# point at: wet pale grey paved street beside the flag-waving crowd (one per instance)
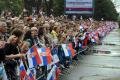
(102, 65)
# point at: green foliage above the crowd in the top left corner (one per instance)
(16, 6)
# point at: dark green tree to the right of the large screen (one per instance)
(105, 9)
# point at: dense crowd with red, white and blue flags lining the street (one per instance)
(18, 35)
